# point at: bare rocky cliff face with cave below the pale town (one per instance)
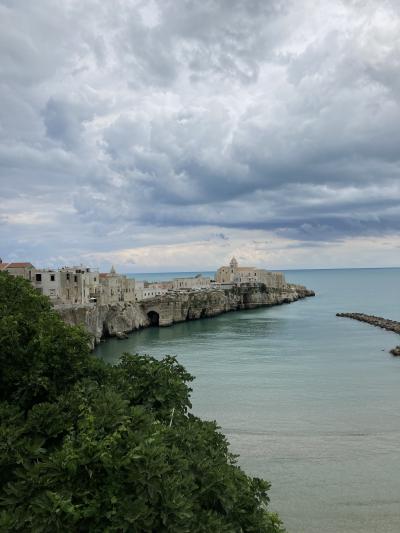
(102, 321)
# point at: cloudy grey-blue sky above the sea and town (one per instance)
(169, 135)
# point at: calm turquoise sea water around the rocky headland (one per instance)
(310, 401)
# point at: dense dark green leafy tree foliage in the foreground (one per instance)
(89, 447)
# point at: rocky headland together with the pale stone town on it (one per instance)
(111, 304)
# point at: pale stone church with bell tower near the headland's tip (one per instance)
(234, 274)
